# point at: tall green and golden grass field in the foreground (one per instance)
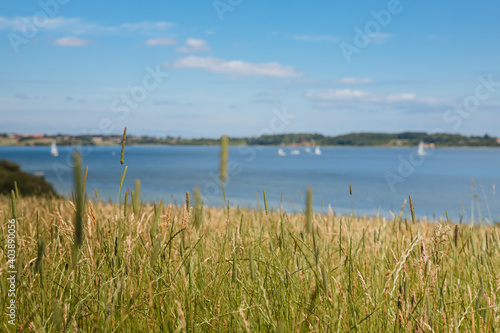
(164, 268)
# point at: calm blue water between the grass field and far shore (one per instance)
(382, 178)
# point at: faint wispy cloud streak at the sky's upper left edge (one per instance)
(80, 26)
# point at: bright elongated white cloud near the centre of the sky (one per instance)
(236, 67)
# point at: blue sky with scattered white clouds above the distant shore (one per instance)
(231, 66)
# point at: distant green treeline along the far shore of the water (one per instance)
(353, 139)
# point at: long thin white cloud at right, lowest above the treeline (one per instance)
(342, 95)
